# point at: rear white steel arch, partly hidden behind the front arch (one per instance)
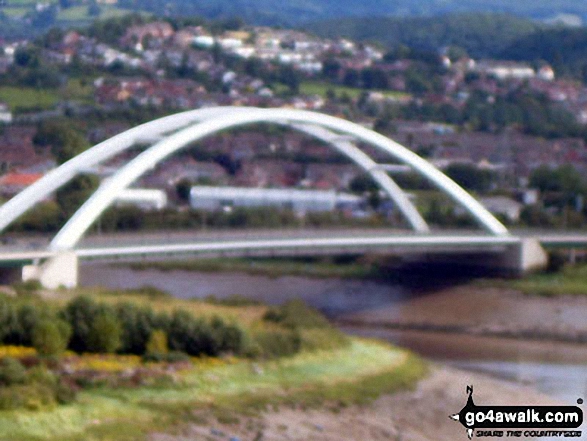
(109, 148)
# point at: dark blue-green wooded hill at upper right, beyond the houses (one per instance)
(497, 36)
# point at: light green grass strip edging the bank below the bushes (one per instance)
(356, 374)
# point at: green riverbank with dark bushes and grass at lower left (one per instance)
(70, 363)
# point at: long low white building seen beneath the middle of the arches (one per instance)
(217, 198)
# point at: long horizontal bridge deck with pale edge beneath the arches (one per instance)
(289, 242)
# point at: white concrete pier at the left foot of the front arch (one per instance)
(58, 271)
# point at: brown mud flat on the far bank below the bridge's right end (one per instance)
(473, 310)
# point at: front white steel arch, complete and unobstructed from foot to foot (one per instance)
(105, 195)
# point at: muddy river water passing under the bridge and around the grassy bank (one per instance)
(555, 368)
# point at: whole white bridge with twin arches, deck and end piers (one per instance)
(57, 265)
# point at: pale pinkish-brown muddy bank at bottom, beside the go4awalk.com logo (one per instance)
(419, 415)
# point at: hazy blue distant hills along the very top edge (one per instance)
(287, 13)
